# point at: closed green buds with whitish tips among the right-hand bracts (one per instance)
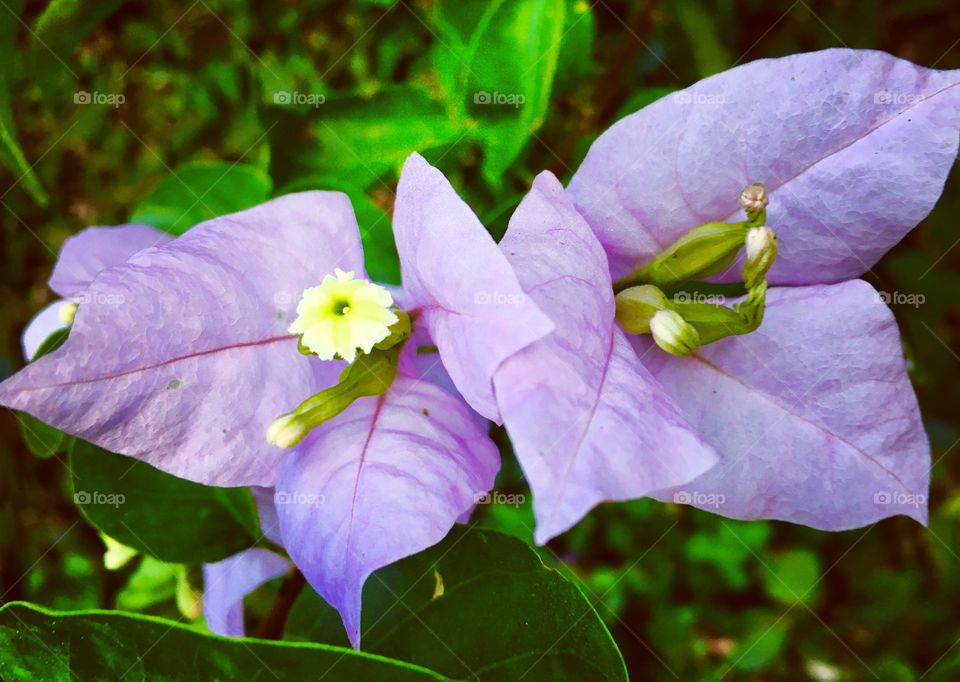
(680, 326)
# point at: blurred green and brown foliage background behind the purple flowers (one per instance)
(225, 103)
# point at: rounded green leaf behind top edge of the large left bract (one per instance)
(202, 190)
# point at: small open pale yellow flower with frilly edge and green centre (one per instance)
(342, 315)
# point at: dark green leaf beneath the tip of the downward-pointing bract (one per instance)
(478, 604)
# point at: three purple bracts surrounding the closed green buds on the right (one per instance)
(854, 148)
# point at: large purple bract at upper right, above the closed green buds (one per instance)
(853, 145)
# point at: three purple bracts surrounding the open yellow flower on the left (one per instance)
(182, 357)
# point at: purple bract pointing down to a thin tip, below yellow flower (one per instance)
(384, 480)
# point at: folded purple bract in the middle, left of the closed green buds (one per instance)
(587, 421)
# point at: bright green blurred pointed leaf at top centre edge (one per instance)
(510, 62)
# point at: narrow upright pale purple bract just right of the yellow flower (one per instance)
(460, 284)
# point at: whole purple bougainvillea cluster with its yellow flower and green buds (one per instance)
(570, 332)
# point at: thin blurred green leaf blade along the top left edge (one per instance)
(11, 154)
